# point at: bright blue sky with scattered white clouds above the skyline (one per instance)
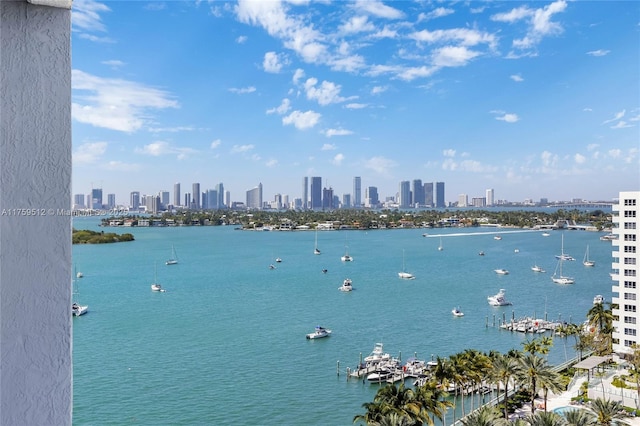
(533, 99)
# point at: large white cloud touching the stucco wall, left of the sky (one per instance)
(113, 103)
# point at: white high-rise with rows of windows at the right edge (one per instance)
(626, 258)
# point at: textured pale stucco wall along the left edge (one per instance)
(35, 245)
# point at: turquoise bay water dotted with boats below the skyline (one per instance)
(226, 343)
